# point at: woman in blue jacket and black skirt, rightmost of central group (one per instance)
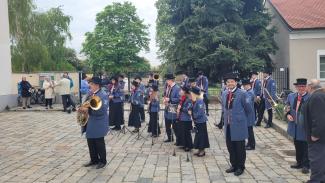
(201, 140)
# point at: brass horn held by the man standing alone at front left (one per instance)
(95, 103)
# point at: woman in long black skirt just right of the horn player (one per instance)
(115, 104)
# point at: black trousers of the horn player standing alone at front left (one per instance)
(97, 150)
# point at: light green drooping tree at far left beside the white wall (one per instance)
(38, 38)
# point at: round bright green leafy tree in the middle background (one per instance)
(117, 39)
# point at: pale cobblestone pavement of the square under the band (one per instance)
(47, 147)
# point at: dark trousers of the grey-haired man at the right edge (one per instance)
(316, 153)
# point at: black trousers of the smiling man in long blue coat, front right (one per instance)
(237, 152)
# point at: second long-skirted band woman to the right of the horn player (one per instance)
(134, 117)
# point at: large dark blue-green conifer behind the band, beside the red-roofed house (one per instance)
(219, 36)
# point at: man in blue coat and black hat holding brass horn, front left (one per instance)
(97, 124)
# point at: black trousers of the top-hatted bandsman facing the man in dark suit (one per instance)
(301, 153)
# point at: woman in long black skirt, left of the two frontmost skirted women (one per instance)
(185, 120)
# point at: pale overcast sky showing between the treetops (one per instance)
(84, 13)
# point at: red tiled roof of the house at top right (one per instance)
(301, 14)
